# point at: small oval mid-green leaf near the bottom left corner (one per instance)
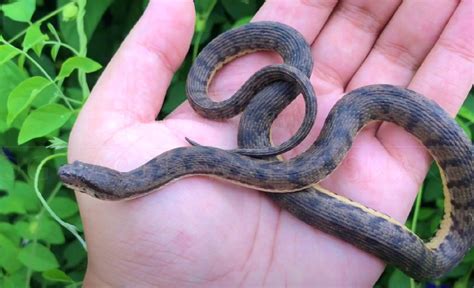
(38, 258)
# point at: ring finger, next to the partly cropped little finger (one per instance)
(404, 43)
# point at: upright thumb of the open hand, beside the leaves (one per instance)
(132, 88)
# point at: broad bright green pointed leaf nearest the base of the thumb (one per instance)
(43, 121)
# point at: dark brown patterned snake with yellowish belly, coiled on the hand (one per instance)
(293, 184)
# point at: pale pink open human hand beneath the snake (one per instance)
(205, 232)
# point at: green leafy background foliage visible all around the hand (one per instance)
(46, 52)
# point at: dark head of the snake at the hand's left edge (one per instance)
(96, 181)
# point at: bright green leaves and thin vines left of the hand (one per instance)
(43, 85)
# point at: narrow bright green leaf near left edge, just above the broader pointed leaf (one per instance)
(22, 96)
